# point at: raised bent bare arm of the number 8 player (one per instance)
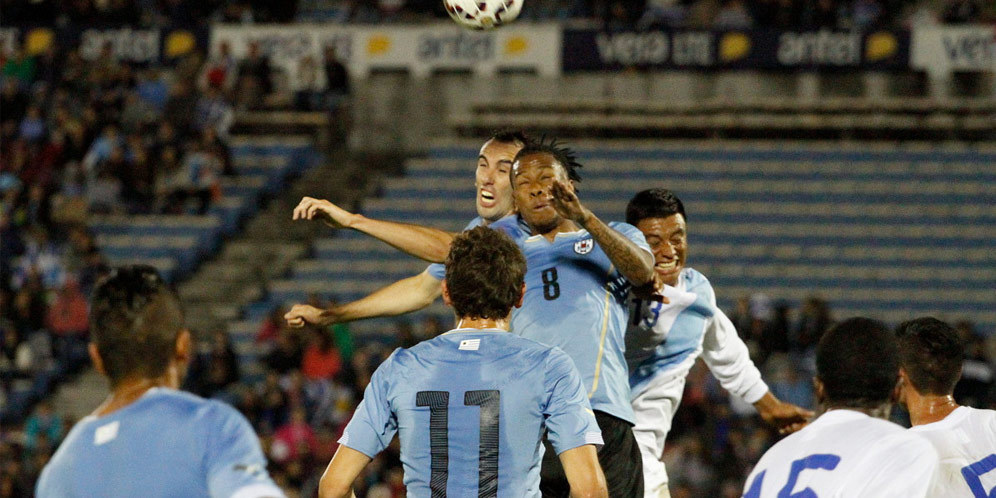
(634, 263)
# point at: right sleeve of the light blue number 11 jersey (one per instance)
(568, 417)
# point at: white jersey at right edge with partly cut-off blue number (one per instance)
(965, 441)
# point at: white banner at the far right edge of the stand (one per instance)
(942, 49)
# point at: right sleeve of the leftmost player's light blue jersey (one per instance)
(235, 462)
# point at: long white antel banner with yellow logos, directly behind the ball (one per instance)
(418, 49)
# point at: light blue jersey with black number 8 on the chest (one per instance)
(576, 300)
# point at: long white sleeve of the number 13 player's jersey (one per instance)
(728, 359)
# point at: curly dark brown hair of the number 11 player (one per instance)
(484, 274)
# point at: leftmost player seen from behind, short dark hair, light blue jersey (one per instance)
(149, 439)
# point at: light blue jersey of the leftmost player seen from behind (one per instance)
(166, 444)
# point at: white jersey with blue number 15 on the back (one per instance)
(845, 454)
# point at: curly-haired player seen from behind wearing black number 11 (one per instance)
(471, 405)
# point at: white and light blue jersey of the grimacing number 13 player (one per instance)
(665, 340)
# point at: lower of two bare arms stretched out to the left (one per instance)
(403, 296)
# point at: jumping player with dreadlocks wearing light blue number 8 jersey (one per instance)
(579, 272)
